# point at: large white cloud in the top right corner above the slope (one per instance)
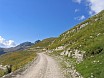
(95, 6)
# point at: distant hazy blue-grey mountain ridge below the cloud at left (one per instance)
(22, 46)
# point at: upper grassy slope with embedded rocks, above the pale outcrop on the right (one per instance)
(89, 35)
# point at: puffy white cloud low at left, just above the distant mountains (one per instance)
(6, 43)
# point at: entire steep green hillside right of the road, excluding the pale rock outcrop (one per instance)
(88, 37)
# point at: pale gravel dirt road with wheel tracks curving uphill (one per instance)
(44, 67)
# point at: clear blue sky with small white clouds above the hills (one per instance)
(30, 20)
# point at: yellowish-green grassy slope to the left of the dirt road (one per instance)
(16, 59)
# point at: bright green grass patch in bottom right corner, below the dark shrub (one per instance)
(92, 66)
